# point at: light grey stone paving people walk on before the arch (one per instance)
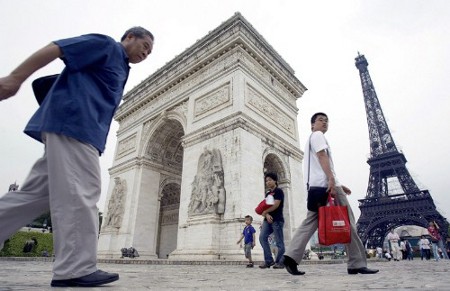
(25, 274)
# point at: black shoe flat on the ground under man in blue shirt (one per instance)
(92, 280)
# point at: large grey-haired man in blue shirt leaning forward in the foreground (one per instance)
(73, 122)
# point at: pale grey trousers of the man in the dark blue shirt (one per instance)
(67, 181)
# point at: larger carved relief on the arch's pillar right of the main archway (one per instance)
(208, 192)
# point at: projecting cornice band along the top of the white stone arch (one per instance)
(234, 33)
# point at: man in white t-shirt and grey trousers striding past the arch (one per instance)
(319, 172)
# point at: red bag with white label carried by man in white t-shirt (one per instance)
(334, 224)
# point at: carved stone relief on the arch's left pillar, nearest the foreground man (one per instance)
(116, 204)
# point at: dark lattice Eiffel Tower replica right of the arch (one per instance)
(384, 207)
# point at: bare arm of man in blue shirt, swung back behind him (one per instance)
(10, 84)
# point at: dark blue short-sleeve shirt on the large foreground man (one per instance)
(82, 102)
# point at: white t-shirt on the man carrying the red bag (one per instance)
(317, 177)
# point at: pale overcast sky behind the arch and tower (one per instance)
(406, 42)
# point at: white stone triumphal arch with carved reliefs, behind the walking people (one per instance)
(194, 142)
